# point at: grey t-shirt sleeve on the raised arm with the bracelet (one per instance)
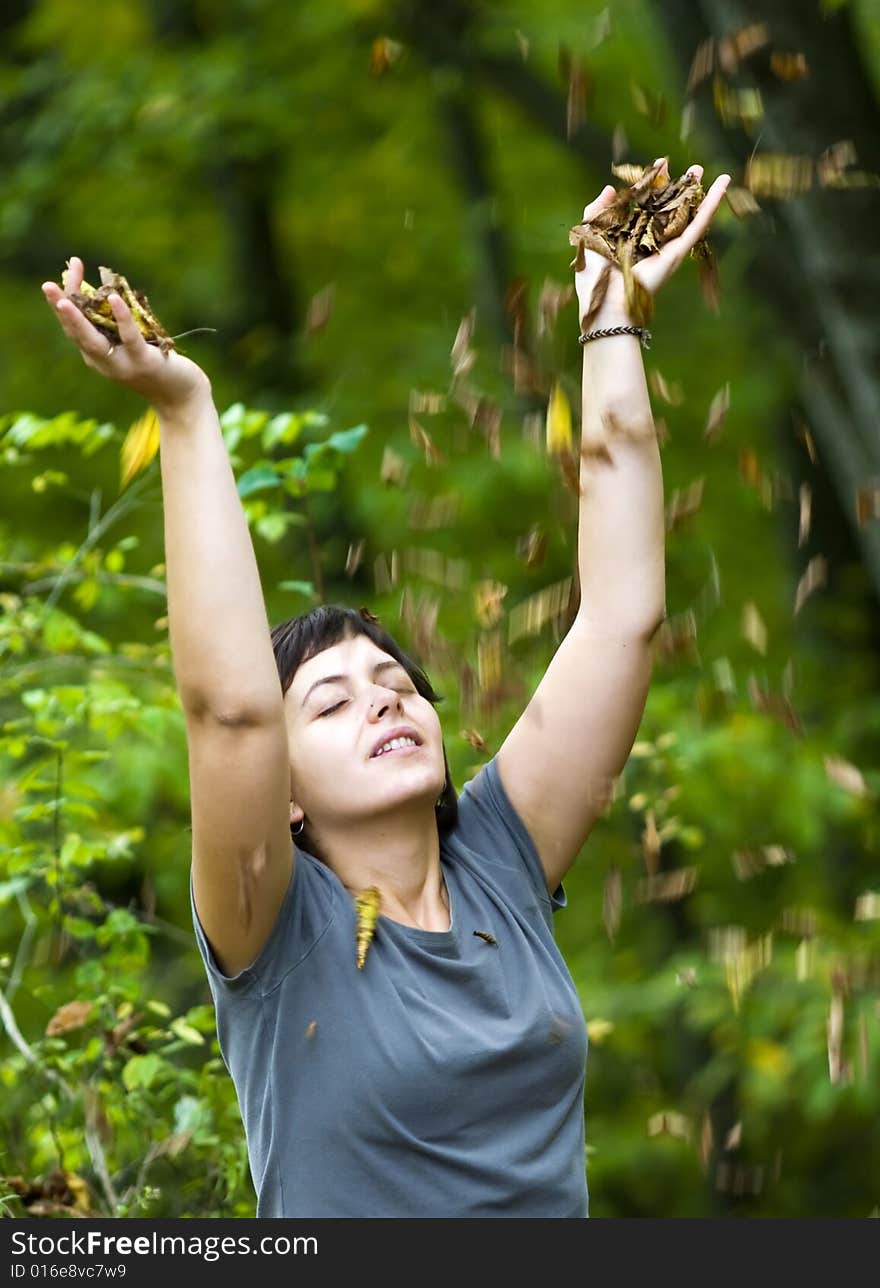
(490, 826)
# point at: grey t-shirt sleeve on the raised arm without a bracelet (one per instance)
(306, 914)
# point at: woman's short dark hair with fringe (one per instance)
(302, 638)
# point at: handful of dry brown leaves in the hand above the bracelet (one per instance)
(650, 212)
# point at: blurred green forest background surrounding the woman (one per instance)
(334, 190)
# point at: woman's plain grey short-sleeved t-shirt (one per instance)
(443, 1080)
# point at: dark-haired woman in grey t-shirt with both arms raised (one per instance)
(441, 1072)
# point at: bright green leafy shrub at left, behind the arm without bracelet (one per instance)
(106, 1084)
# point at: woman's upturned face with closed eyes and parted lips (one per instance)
(341, 708)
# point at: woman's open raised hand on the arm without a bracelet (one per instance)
(168, 381)
